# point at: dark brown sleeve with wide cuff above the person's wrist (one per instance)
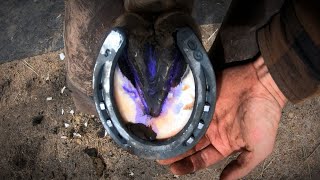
(291, 51)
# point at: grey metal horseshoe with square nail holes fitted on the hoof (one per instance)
(205, 81)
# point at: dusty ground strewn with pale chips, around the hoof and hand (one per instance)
(43, 139)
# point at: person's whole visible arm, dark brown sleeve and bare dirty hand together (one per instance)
(290, 70)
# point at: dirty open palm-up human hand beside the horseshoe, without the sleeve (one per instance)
(246, 119)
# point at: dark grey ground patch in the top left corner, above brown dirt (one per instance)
(30, 27)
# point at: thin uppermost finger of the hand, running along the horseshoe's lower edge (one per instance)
(203, 143)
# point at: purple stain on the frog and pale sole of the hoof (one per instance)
(137, 92)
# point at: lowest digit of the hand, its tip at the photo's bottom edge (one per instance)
(240, 167)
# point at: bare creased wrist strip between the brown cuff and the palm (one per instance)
(267, 81)
